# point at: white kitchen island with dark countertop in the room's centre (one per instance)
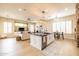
(40, 40)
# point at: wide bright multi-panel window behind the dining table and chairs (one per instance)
(64, 26)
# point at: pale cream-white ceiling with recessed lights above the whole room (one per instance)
(34, 11)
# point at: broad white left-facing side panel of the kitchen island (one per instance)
(36, 41)
